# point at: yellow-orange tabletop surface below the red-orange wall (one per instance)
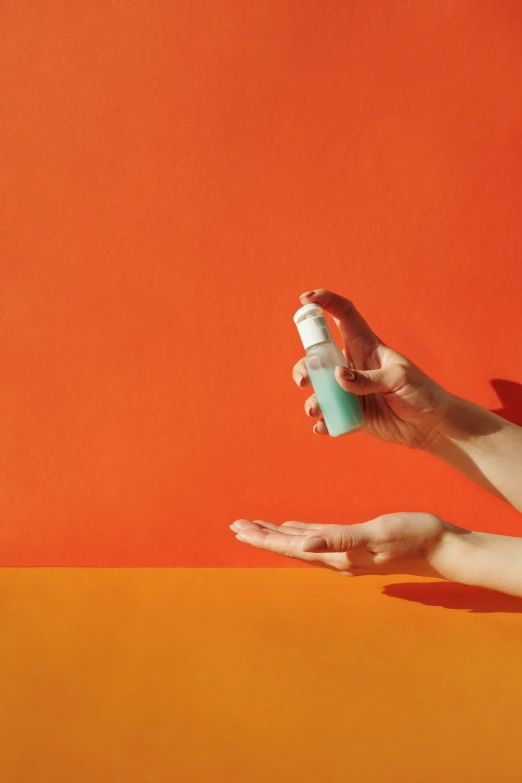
(155, 676)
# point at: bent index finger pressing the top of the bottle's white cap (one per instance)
(358, 337)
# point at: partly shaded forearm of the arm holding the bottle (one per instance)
(484, 447)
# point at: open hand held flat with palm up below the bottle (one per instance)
(405, 543)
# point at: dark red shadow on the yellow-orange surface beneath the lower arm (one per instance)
(451, 595)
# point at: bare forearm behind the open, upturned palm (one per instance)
(481, 560)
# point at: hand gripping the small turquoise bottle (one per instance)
(401, 403)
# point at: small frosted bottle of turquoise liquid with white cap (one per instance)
(342, 411)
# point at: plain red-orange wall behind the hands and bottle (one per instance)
(173, 175)
